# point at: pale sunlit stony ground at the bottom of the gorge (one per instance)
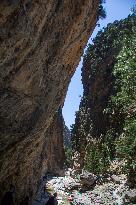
(109, 190)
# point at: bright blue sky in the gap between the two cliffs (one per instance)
(116, 10)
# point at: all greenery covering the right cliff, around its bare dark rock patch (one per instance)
(118, 41)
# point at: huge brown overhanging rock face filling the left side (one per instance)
(40, 46)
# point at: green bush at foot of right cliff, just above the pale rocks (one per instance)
(100, 153)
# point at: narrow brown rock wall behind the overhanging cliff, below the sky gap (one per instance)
(54, 146)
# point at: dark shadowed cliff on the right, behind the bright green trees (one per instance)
(96, 116)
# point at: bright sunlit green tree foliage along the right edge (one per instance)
(125, 69)
